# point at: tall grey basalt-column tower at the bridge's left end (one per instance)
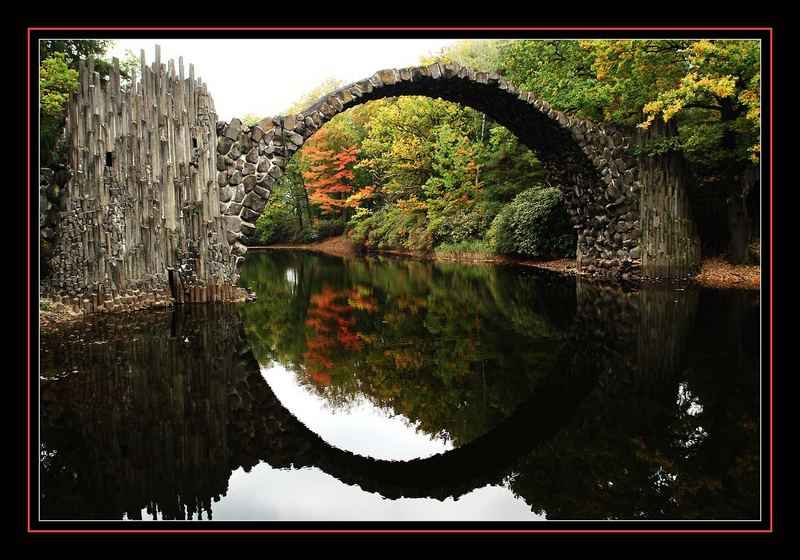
(136, 222)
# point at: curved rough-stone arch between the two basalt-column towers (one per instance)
(592, 163)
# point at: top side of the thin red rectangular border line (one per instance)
(401, 29)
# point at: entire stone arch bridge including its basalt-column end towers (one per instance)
(158, 199)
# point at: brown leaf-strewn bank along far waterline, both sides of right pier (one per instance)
(715, 272)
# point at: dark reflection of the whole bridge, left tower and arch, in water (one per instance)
(127, 437)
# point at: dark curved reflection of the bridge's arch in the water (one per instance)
(452, 473)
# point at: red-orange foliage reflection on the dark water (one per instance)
(331, 318)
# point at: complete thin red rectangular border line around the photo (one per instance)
(771, 504)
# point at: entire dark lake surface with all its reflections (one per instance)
(390, 389)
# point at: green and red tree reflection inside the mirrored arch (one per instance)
(433, 342)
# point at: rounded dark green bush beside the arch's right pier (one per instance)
(535, 223)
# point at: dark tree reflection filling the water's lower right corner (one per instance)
(659, 438)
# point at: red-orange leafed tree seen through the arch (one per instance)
(330, 179)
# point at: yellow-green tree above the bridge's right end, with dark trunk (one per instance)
(710, 88)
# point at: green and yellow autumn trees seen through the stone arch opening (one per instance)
(485, 176)
